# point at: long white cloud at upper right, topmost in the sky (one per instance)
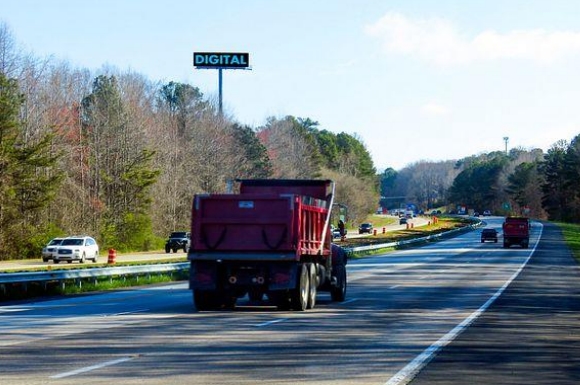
(438, 41)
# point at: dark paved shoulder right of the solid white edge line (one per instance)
(531, 335)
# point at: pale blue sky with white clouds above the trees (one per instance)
(413, 79)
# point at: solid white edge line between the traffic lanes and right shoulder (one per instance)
(405, 375)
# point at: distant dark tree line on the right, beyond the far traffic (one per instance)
(519, 182)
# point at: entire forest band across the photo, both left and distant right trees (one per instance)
(119, 157)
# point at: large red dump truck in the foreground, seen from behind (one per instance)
(271, 241)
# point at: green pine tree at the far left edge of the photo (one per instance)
(28, 177)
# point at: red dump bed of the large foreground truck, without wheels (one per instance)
(267, 221)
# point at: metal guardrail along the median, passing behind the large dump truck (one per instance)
(76, 274)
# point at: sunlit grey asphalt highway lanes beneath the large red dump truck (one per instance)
(403, 311)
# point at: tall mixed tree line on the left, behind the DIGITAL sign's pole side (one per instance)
(117, 156)
